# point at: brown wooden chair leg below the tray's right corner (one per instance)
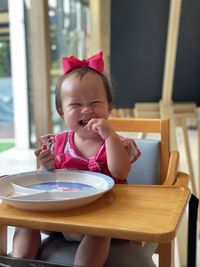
(166, 254)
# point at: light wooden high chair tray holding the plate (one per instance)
(143, 213)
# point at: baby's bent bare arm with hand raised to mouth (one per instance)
(118, 159)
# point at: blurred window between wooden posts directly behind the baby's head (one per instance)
(69, 35)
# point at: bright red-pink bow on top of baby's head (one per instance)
(94, 62)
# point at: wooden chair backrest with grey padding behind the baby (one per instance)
(155, 154)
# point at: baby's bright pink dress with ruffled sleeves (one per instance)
(67, 155)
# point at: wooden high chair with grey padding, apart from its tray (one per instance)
(161, 165)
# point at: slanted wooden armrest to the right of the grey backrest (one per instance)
(172, 169)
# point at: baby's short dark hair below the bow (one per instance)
(81, 72)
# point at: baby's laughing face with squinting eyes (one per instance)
(83, 99)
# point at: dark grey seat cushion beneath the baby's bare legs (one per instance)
(123, 253)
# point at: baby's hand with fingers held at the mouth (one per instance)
(100, 126)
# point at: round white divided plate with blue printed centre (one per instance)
(53, 190)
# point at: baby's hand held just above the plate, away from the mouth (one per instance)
(45, 157)
